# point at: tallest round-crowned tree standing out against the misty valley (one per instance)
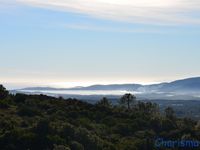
(128, 99)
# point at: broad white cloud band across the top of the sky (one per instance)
(136, 11)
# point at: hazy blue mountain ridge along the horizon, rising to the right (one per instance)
(185, 85)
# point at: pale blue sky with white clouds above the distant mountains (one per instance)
(66, 43)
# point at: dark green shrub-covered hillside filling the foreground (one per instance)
(39, 122)
